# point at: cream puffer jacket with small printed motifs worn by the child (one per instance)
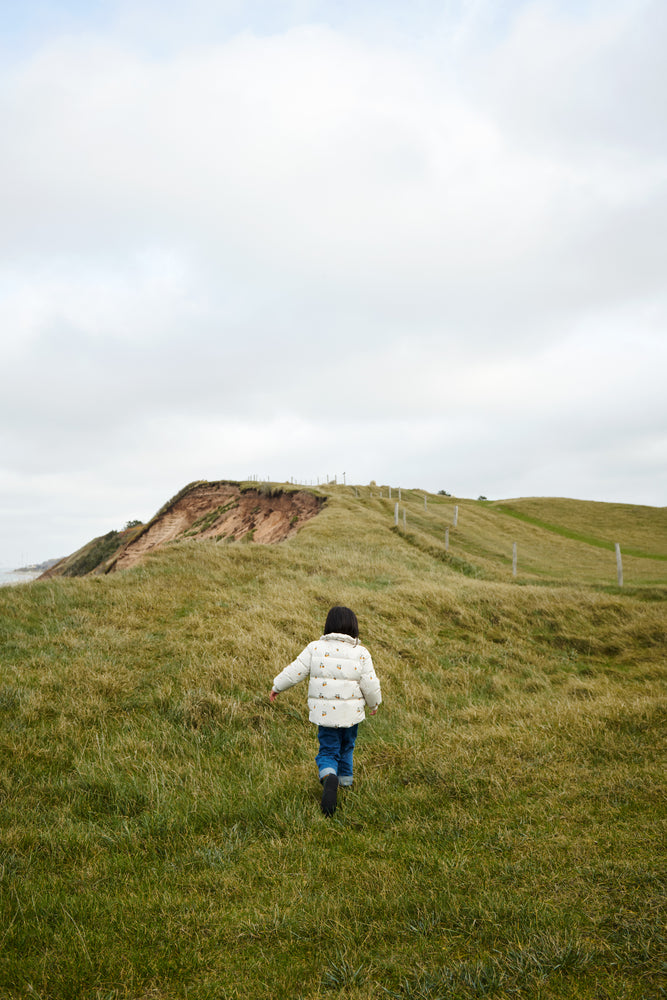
(342, 680)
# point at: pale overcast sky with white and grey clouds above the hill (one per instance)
(419, 243)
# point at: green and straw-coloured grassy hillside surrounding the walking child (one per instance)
(159, 827)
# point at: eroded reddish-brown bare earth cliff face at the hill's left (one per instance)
(223, 511)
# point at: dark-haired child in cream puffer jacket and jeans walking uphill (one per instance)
(342, 682)
